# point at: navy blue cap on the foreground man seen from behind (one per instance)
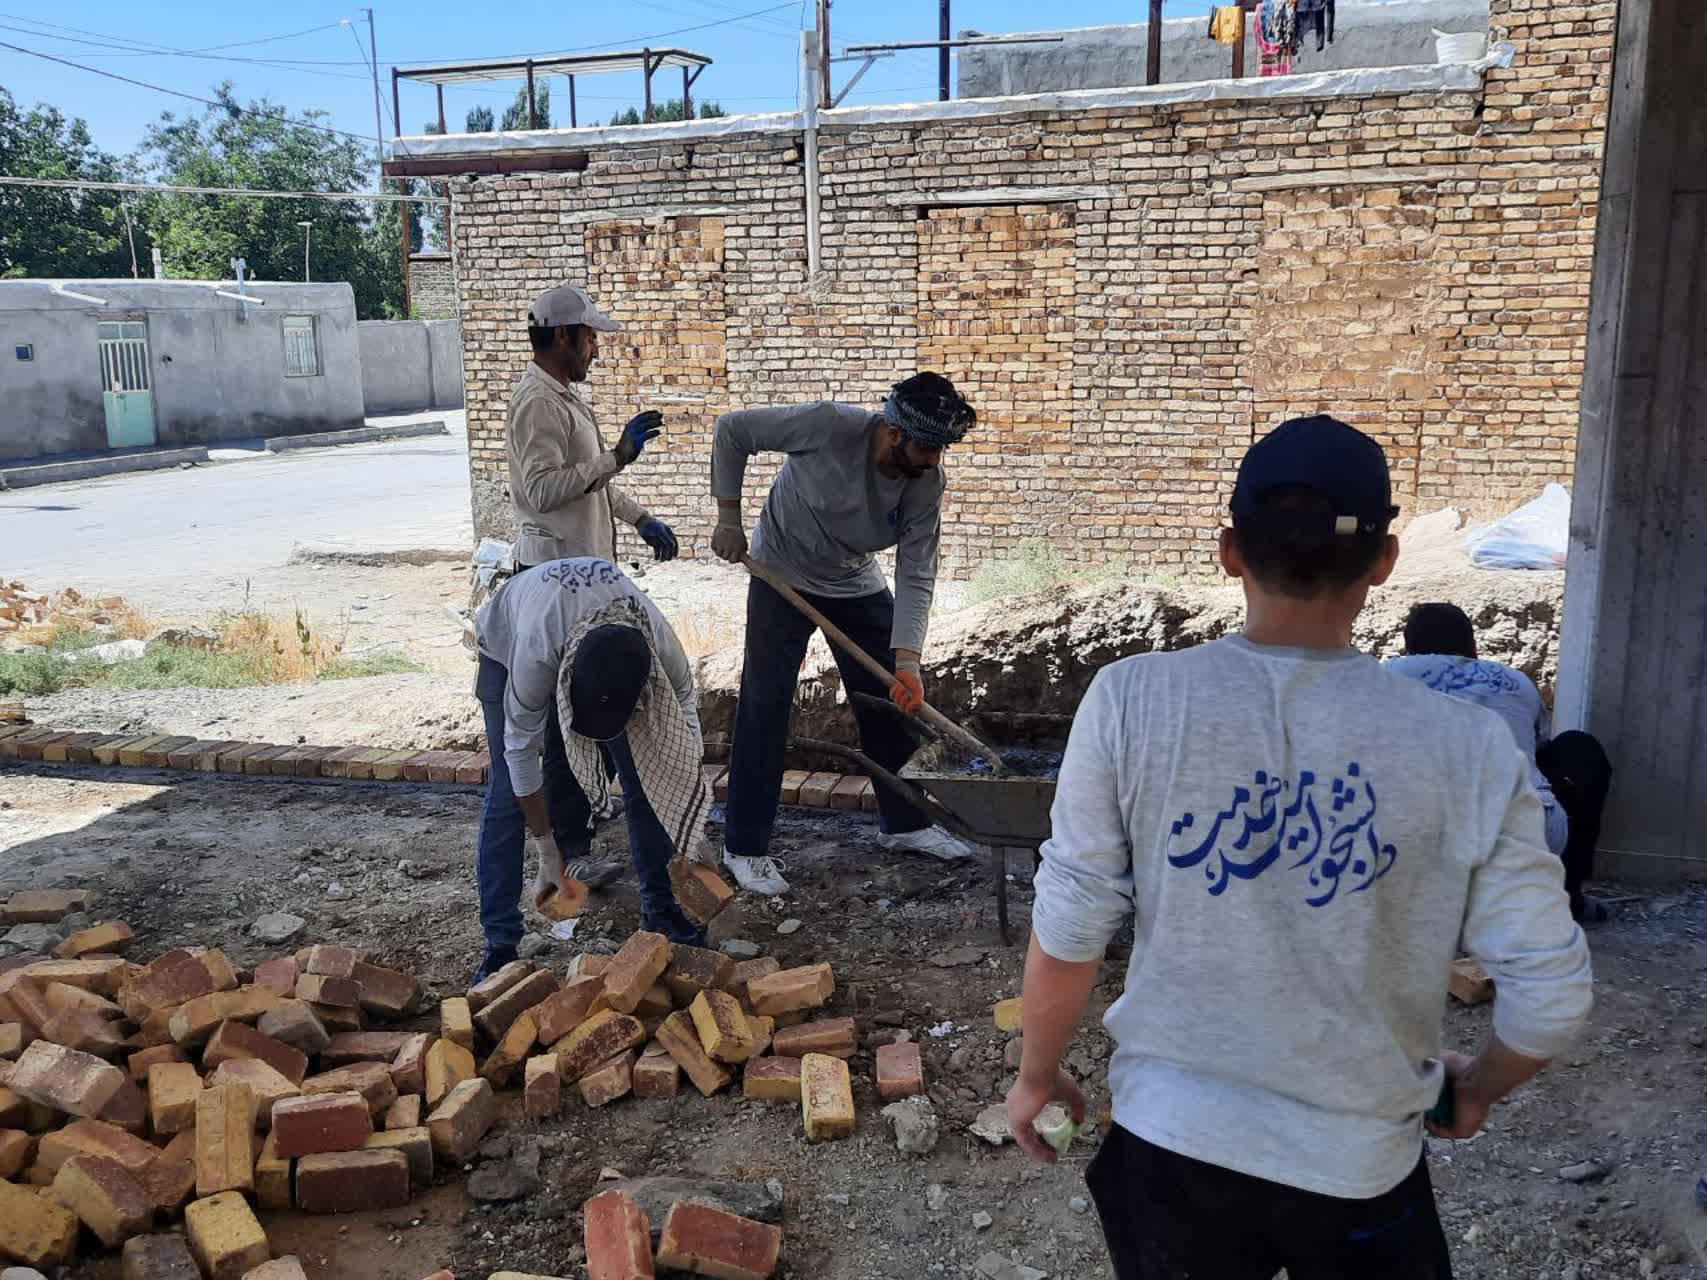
(1325, 457)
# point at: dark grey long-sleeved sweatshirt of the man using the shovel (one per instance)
(830, 509)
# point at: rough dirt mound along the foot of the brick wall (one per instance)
(1037, 655)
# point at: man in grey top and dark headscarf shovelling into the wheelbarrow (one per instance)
(856, 484)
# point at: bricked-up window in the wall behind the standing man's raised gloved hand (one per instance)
(665, 284)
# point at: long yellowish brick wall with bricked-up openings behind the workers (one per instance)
(1124, 346)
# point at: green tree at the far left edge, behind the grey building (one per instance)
(61, 231)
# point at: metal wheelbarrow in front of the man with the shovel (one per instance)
(998, 813)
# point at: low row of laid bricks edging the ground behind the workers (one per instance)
(469, 769)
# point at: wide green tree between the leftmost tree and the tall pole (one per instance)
(257, 146)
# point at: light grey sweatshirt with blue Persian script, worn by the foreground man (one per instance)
(1307, 844)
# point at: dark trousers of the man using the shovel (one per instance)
(776, 648)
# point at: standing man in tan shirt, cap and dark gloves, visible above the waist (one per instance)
(561, 468)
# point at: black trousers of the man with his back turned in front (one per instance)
(1170, 1218)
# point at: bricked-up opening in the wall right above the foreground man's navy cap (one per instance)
(1346, 317)
